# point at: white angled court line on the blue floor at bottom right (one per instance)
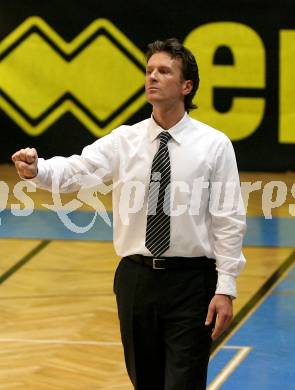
(230, 367)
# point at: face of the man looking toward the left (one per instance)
(164, 84)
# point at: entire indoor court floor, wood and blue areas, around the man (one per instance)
(59, 327)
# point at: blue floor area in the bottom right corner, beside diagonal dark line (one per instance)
(270, 332)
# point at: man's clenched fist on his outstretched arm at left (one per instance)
(26, 162)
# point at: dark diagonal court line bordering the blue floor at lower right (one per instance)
(256, 298)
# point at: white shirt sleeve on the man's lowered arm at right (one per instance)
(228, 219)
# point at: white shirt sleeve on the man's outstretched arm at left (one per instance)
(96, 164)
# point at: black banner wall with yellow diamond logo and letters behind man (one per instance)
(71, 71)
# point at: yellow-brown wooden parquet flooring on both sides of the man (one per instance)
(59, 327)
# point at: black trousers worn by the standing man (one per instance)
(162, 315)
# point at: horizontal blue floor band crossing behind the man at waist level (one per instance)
(48, 225)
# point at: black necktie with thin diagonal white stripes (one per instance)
(157, 239)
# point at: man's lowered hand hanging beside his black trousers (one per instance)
(223, 307)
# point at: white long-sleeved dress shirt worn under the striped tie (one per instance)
(207, 216)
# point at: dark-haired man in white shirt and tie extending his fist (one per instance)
(181, 255)
